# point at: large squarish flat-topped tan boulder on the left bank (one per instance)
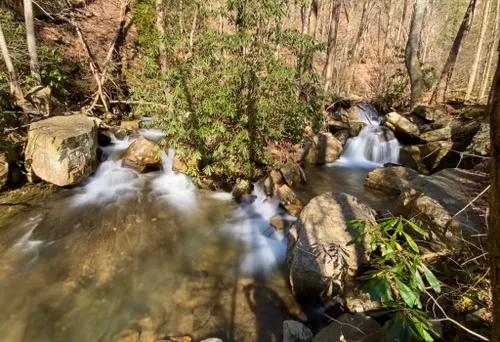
(62, 150)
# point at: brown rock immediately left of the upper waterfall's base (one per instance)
(324, 148)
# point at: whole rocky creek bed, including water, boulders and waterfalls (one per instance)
(136, 252)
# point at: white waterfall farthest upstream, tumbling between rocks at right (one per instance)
(375, 145)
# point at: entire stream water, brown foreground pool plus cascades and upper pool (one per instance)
(146, 257)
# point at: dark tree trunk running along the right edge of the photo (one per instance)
(494, 217)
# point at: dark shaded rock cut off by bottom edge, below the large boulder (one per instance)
(349, 328)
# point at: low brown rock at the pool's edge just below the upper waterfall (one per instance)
(391, 180)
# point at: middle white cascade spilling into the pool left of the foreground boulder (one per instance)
(264, 248)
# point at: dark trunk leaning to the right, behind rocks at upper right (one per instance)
(442, 84)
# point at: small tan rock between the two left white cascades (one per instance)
(141, 154)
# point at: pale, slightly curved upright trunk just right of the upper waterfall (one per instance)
(411, 54)
